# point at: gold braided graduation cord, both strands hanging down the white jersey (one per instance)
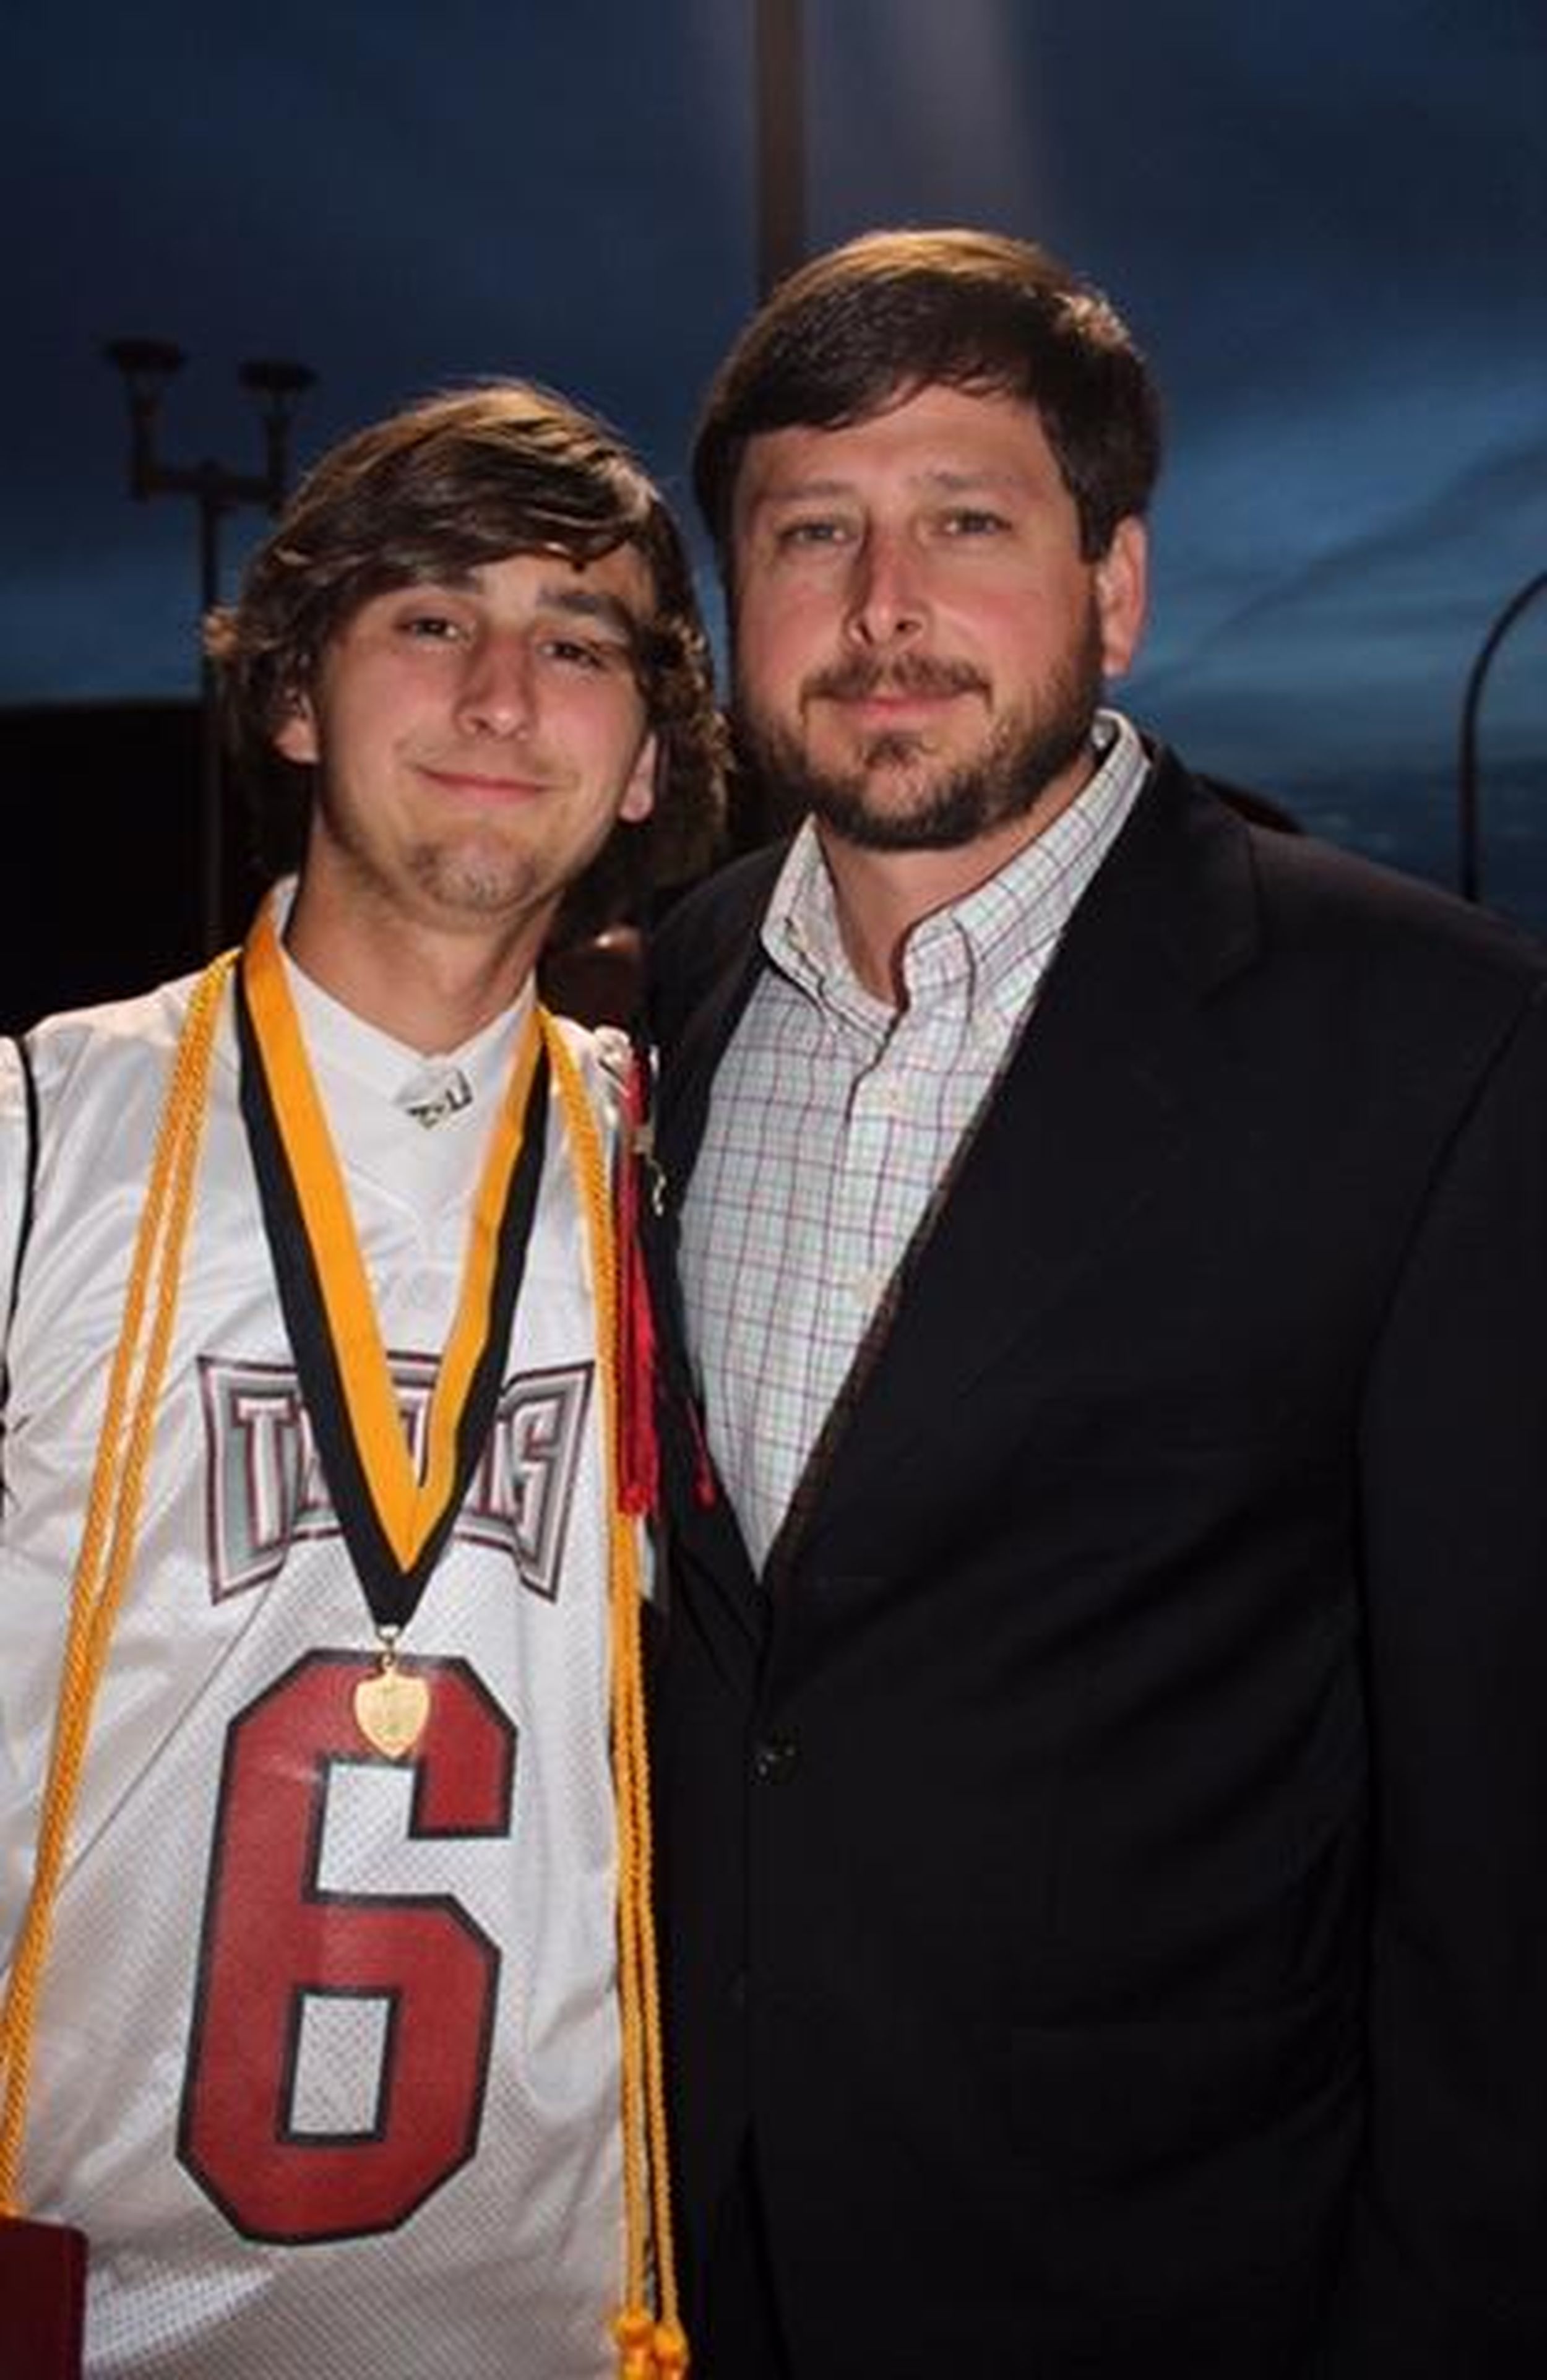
(649, 2350)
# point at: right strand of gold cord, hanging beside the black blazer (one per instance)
(649, 2348)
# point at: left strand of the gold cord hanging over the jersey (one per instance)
(113, 1512)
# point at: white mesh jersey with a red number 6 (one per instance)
(327, 2058)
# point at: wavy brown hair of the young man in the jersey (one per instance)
(446, 487)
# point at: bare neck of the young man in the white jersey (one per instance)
(425, 989)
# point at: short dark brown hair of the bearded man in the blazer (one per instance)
(901, 311)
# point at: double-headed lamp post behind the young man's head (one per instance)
(149, 365)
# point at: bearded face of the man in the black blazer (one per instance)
(920, 644)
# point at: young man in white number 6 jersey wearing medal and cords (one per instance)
(315, 1910)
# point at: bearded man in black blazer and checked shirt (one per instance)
(1106, 1789)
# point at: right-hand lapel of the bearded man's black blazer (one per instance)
(1084, 1127)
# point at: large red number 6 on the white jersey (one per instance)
(339, 2048)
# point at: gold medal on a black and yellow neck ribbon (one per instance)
(392, 1520)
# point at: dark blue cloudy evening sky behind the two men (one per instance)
(1327, 225)
